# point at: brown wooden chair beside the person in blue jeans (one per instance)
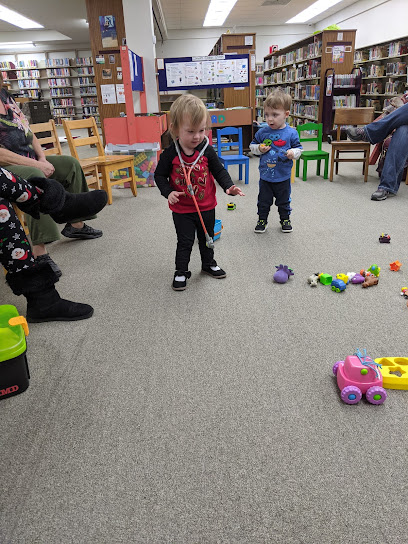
(351, 116)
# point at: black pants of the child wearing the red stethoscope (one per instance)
(186, 226)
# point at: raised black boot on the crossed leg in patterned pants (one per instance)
(63, 206)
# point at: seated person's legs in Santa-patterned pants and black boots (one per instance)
(36, 281)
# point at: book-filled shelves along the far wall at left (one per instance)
(67, 82)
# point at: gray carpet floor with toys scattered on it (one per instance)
(212, 415)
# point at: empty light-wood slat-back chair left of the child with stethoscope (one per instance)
(106, 163)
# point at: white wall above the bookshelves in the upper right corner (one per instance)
(376, 21)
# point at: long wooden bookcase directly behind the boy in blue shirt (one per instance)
(299, 69)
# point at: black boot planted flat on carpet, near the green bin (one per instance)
(43, 300)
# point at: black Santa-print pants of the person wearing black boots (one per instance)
(15, 249)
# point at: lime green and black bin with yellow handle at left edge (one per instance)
(14, 373)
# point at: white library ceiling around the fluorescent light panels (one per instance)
(64, 20)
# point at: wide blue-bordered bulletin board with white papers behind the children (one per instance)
(203, 72)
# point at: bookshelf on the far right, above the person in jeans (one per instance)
(384, 72)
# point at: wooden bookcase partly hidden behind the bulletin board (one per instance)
(236, 97)
